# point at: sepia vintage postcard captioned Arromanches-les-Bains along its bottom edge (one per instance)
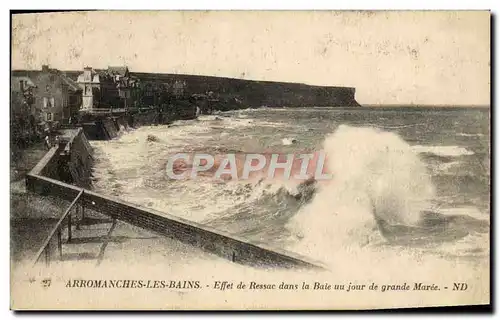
(250, 160)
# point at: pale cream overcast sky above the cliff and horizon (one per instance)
(390, 57)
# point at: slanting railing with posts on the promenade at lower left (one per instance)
(46, 249)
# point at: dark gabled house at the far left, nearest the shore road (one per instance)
(55, 96)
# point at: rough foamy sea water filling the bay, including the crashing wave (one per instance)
(392, 162)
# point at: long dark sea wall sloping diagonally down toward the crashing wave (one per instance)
(227, 246)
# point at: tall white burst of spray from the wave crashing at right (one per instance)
(374, 172)
